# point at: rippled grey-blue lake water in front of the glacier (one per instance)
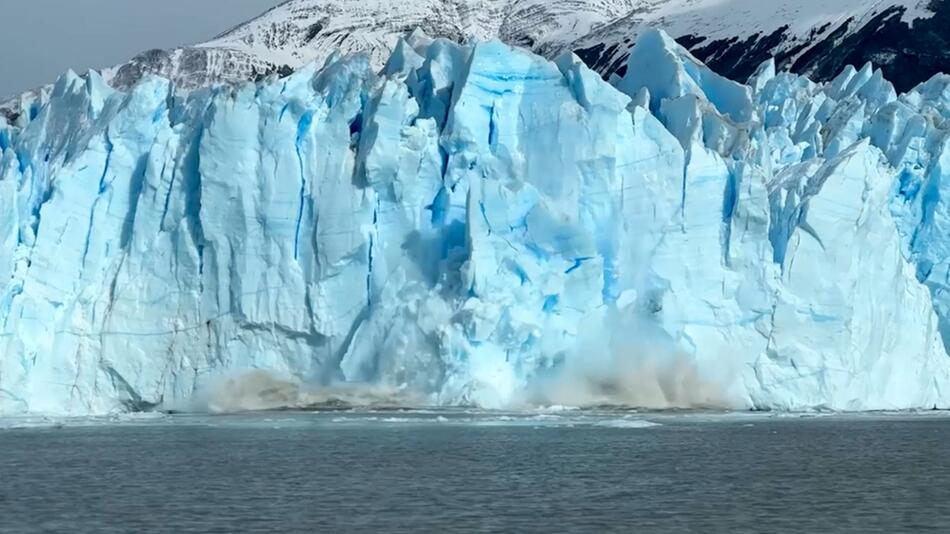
(423, 471)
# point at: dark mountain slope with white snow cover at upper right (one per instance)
(906, 38)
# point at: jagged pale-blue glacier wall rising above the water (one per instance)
(482, 226)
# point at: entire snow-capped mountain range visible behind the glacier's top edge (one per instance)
(908, 39)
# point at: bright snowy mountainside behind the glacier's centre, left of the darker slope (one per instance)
(305, 30)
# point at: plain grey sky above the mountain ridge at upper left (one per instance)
(41, 39)
